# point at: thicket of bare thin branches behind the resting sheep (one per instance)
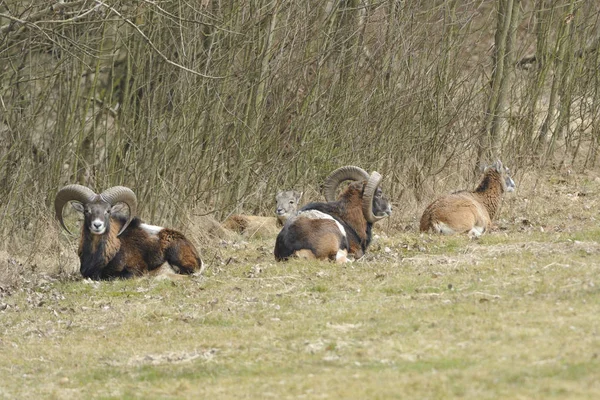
(218, 104)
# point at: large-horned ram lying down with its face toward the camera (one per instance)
(115, 246)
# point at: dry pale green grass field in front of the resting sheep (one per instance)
(513, 315)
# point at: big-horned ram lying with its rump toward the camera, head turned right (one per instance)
(336, 228)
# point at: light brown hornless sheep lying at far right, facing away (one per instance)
(470, 212)
